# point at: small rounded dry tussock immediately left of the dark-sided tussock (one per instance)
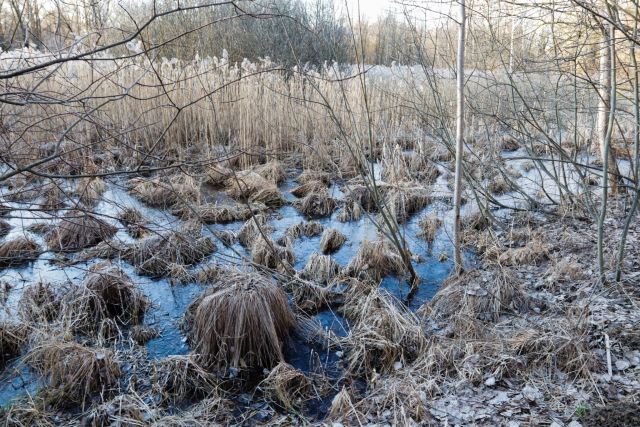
(39, 303)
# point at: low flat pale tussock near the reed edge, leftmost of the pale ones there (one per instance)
(166, 192)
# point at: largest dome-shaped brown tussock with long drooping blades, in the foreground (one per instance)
(242, 322)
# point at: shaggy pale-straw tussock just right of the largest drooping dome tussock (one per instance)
(383, 334)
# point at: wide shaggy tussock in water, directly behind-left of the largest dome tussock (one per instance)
(159, 255)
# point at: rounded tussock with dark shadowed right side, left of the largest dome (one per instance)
(106, 296)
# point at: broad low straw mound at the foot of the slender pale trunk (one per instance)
(473, 296)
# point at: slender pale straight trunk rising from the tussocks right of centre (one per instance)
(457, 197)
